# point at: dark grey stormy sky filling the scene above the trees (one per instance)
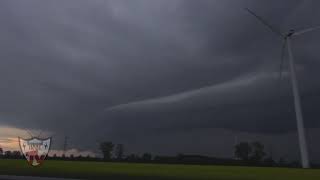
(147, 71)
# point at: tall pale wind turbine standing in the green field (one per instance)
(287, 37)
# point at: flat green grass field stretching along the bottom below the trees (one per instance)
(113, 171)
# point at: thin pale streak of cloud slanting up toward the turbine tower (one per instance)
(225, 93)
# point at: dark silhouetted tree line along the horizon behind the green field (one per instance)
(246, 154)
